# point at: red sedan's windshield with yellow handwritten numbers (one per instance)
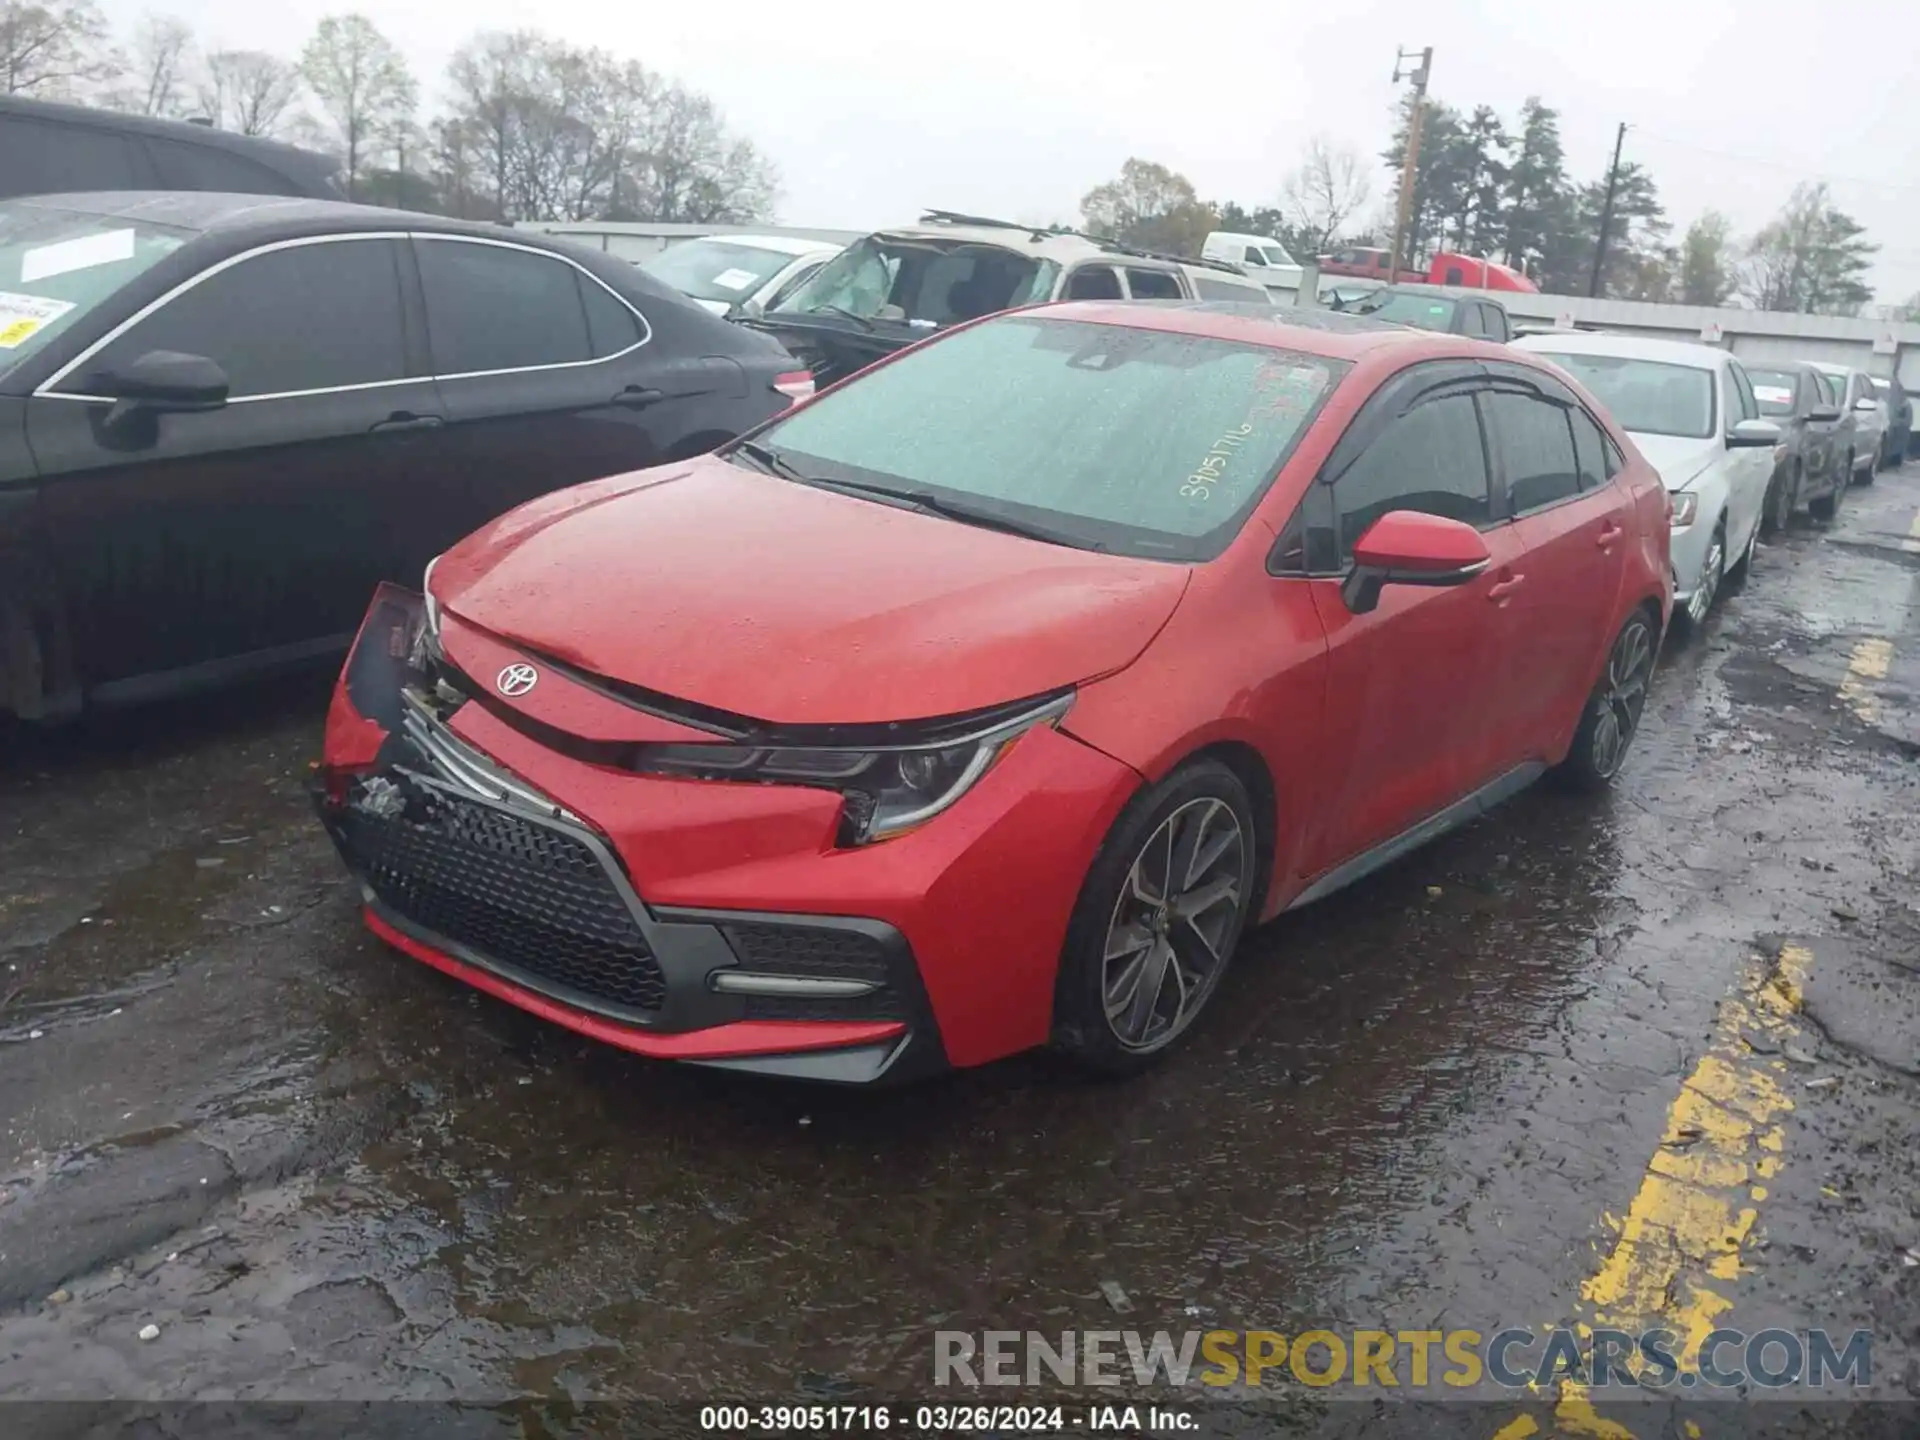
(1105, 437)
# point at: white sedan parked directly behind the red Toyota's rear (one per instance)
(1692, 414)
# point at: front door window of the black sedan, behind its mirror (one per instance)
(287, 322)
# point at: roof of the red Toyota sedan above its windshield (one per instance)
(1322, 333)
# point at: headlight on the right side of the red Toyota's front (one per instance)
(888, 788)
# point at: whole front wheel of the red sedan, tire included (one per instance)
(1157, 921)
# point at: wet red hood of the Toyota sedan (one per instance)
(798, 606)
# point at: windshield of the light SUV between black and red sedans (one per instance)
(923, 281)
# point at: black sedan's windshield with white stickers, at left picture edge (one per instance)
(57, 266)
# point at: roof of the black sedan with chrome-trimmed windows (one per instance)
(264, 218)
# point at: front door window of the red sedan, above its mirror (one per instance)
(1431, 460)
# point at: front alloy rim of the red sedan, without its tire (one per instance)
(1174, 924)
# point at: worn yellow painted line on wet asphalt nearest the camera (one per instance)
(1679, 1247)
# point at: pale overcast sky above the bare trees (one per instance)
(1017, 108)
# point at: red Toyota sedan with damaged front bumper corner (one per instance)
(988, 698)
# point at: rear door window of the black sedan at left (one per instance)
(496, 308)
